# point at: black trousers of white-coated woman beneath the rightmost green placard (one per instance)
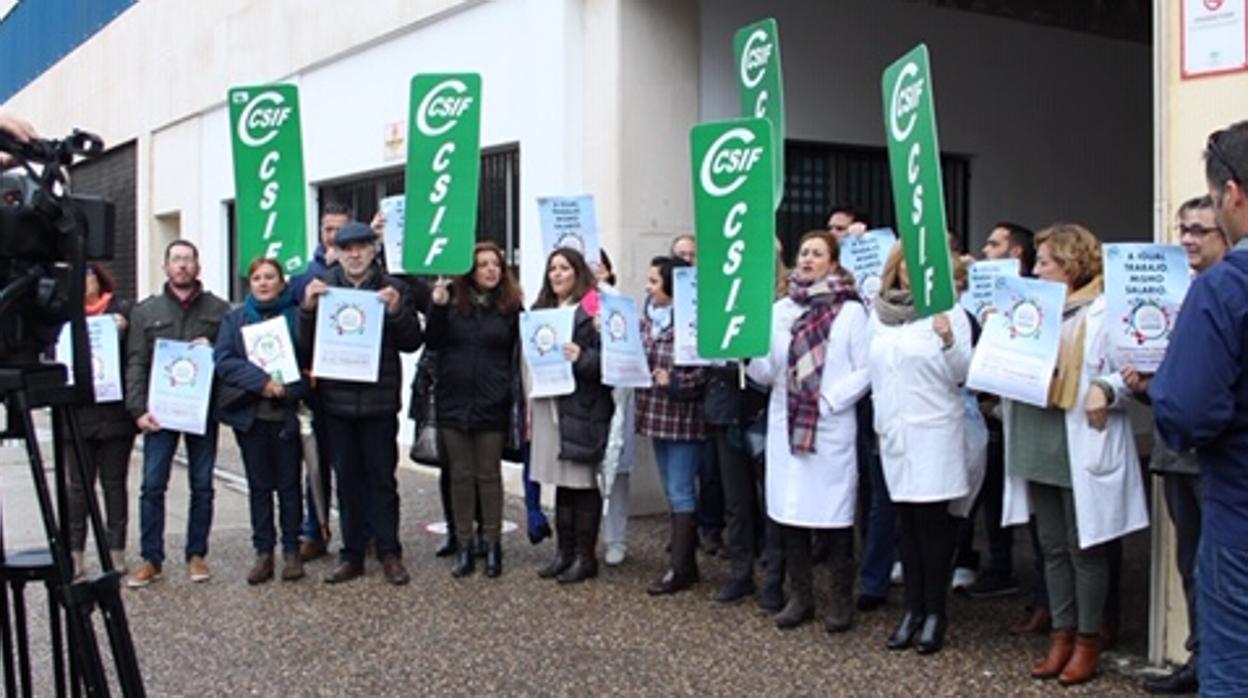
(927, 539)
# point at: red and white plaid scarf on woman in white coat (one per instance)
(823, 300)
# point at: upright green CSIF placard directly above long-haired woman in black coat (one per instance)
(444, 168)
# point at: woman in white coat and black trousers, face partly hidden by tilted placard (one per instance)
(918, 369)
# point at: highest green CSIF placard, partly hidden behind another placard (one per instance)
(757, 49)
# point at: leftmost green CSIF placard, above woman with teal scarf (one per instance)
(270, 193)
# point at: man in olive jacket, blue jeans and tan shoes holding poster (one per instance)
(184, 310)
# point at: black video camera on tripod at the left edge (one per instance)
(47, 235)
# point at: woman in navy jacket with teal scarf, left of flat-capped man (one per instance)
(263, 413)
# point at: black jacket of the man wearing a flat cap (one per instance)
(401, 333)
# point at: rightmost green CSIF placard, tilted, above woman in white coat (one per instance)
(918, 194)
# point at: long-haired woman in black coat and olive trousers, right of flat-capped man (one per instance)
(475, 328)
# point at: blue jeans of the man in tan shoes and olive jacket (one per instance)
(202, 454)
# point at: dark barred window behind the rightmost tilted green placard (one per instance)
(818, 175)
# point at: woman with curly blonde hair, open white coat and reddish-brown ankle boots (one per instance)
(1074, 464)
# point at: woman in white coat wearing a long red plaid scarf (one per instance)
(817, 373)
